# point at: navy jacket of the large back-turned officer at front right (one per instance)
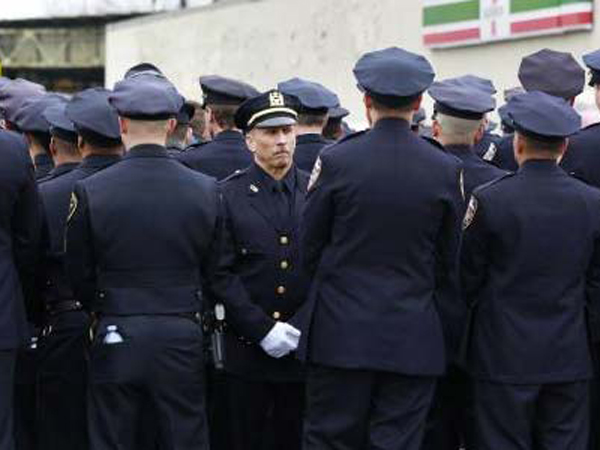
(530, 262)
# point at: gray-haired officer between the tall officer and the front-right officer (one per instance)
(459, 121)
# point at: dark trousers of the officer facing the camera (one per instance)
(265, 415)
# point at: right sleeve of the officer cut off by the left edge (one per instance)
(26, 229)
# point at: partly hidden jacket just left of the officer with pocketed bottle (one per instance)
(55, 194)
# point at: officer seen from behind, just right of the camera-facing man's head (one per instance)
(315, 101)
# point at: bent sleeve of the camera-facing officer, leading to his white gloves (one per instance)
(225, 286)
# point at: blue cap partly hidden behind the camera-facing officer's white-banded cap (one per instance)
(313, 98)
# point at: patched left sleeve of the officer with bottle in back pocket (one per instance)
(79, 253)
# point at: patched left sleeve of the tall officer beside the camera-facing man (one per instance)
(318, 215)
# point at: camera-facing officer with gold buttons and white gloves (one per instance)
(262, 209)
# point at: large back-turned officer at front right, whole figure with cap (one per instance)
(528, 284)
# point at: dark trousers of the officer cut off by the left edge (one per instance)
(7, 378)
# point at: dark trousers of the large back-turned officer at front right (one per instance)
(522, 417)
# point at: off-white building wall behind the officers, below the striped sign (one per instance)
(264, 41)
